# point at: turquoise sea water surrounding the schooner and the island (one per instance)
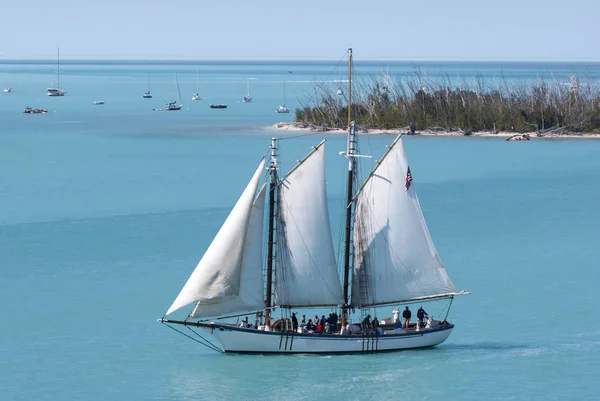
(105, 211)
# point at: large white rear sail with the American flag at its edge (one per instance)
(394, 255)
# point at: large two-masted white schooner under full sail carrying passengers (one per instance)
(389, 259)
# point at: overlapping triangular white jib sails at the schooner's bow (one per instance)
(228, 277)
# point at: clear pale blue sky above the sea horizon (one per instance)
(301, 29)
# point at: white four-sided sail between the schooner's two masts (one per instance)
(306, 271)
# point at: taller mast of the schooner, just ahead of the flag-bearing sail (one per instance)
(350, 151)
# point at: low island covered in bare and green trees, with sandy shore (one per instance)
(517, 111)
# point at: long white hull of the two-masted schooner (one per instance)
(235, 339)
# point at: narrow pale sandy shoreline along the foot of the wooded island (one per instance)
(283, 126)
